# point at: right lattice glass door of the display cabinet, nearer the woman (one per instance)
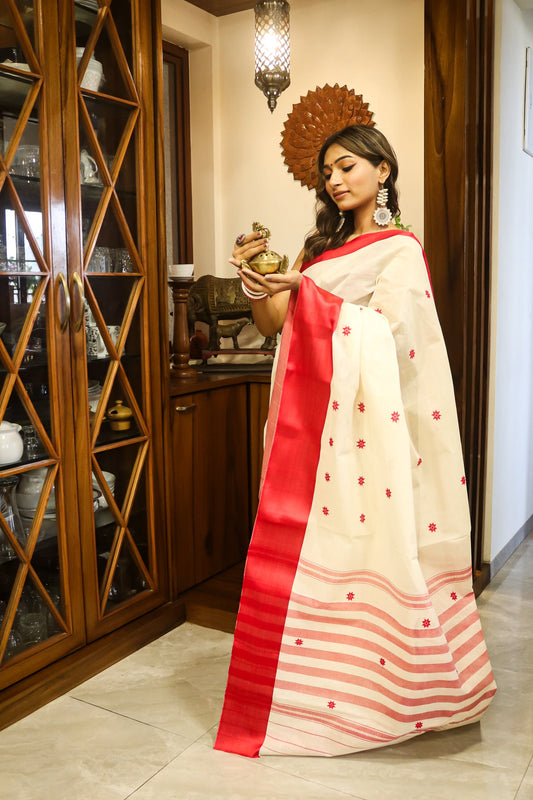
(108, 81)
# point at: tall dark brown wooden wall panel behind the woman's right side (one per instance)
(458, 152)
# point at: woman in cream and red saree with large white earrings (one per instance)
(357, 626)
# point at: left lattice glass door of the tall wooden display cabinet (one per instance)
(41, 603)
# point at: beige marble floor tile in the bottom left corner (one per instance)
(69, 750)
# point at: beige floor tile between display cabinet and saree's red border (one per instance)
(176, 683)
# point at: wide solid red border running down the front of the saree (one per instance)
(281, 522)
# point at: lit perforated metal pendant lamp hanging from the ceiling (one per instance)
(272, 48)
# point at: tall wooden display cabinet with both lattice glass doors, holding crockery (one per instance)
(81, 502)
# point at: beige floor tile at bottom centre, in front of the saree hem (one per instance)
(203, 773)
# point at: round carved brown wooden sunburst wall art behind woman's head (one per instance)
(319, 114)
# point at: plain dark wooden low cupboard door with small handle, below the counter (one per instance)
(211, 487)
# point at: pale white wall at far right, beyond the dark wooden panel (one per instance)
(510, 455)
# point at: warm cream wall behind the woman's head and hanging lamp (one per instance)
(238, 175)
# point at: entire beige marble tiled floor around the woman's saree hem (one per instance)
(144, 729)
